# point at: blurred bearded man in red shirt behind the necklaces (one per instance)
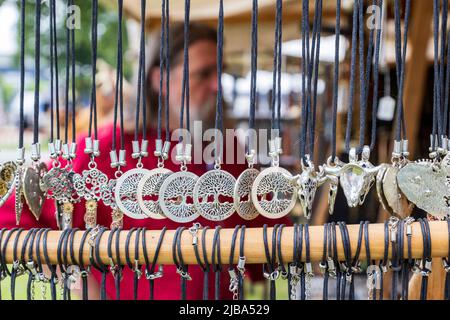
(203, 93)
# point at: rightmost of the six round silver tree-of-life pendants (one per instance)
(273, 194)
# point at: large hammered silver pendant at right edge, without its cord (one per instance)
(427, 185)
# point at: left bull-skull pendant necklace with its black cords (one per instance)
(309, 180)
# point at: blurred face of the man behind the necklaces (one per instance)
(202, 83)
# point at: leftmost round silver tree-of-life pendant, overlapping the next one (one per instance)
(126, 191)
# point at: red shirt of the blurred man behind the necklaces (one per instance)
(167, 287)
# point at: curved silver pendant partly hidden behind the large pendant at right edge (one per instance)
(391, 197)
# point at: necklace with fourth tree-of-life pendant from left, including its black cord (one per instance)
(214, 191)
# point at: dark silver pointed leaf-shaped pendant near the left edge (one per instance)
(33, 194)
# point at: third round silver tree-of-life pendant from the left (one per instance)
(176, 197)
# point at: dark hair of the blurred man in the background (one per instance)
(197, 32)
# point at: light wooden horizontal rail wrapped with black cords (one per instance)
(254, 246)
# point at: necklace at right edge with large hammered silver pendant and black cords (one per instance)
(426, 182)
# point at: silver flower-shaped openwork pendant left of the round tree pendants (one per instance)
(89, 184)
